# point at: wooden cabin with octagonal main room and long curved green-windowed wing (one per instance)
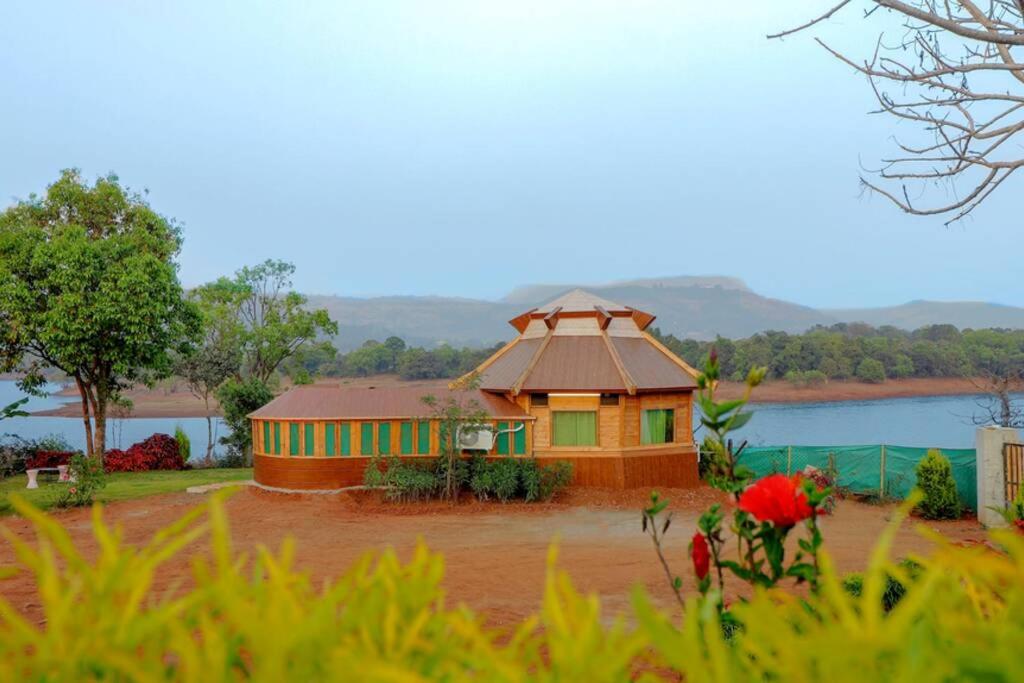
(582, 381)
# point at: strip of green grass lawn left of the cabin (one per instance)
(120, 487)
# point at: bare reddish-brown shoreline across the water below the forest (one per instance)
(175, 401)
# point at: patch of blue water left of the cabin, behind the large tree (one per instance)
(120, 434)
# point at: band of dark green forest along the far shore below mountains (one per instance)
(842, 352)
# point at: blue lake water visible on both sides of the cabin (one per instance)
(931, 421)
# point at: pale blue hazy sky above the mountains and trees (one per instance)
(465, 148)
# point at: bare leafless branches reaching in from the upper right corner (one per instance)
(956, 77)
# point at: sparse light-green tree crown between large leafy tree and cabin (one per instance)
(272, 323)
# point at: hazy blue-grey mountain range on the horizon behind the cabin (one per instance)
(700, 308)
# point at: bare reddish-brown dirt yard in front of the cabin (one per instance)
(495, 553)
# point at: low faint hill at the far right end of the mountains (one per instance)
(975, 315)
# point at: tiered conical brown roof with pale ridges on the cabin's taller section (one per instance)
(583, 343)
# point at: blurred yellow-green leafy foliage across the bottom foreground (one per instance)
(114, 618)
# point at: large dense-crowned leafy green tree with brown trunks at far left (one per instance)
(90, 286)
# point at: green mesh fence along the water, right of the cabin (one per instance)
(886, 472)
